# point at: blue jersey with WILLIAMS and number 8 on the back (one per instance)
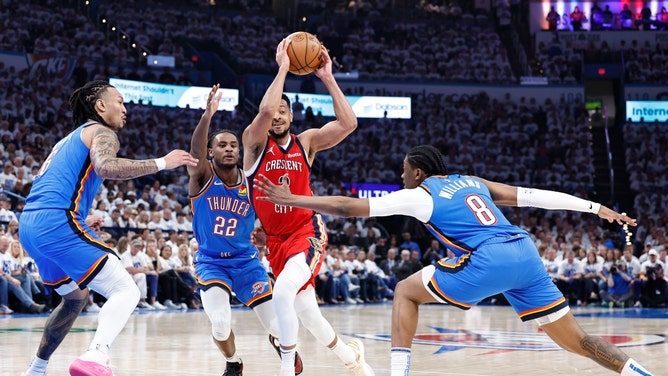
(463, 228)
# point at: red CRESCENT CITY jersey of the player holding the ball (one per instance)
(274, 163)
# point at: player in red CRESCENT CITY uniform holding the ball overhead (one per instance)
(296, 237)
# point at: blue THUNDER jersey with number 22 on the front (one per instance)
(222, 214)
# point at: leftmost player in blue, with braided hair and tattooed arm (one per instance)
(53, 227)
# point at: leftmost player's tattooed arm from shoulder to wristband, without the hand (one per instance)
(107, 165)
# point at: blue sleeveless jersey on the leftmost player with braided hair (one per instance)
(66, 179)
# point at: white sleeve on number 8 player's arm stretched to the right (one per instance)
(539, 198)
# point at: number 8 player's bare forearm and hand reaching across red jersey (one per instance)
(336, 205)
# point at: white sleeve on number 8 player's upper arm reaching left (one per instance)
(416, 203)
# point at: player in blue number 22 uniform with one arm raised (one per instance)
(223, 221)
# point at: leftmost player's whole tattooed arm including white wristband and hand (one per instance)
(105, 146)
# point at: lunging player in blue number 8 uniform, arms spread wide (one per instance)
(492, 256)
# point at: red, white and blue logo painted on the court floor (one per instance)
(446, 339)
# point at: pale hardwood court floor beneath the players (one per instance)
(487, 340)
